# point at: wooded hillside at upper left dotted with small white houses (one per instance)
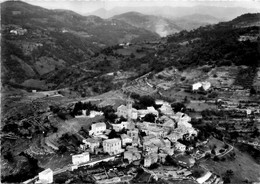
(37, 41)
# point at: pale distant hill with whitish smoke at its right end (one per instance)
(159, 25)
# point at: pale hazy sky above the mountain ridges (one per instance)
(85, 6)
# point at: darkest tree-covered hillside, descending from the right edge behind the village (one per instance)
(212, 45)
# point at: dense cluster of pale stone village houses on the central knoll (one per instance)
(151, 141)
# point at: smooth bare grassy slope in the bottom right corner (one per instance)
(244, 168)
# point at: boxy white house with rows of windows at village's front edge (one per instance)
(112, 146)
